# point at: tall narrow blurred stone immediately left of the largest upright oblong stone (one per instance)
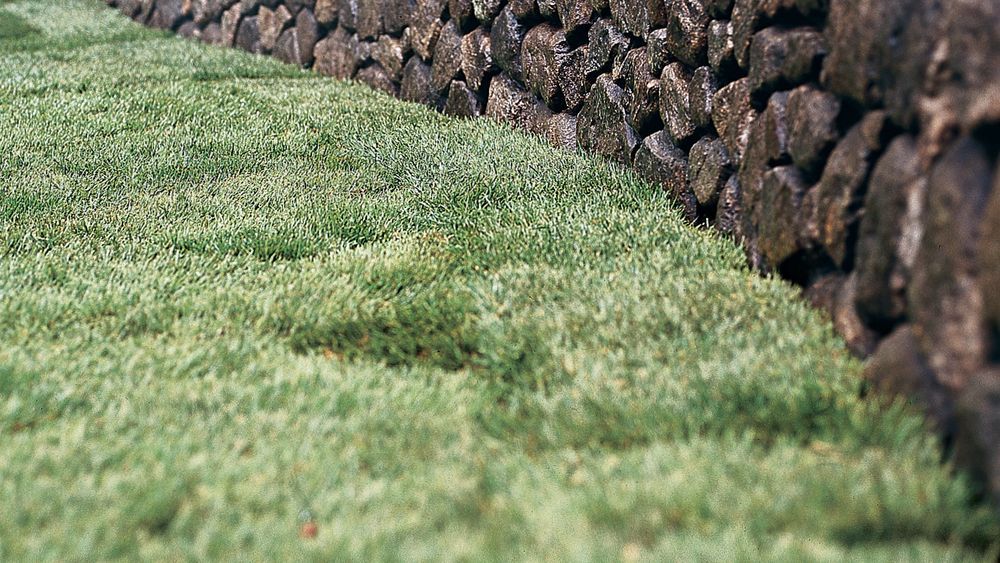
(890, 233)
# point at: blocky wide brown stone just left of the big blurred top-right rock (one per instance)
(782, 58)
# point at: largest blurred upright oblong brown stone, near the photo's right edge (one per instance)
(946, 303)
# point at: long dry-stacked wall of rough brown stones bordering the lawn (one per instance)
(850, 145)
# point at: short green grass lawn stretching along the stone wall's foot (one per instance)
(235, 297)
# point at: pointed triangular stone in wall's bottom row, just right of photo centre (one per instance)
(601, 125)
